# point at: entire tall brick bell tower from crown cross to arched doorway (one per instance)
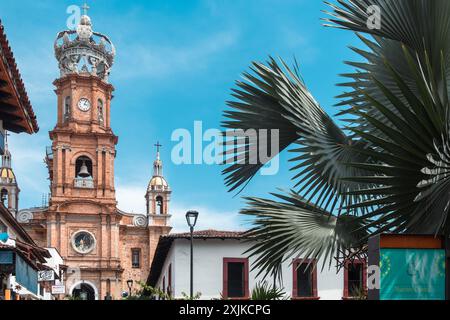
(82, 219)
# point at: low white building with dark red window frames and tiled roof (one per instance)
(222, 270)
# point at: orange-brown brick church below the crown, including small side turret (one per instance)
(78, 140)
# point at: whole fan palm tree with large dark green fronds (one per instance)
(386, 170)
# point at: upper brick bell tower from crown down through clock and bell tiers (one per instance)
(83, 142)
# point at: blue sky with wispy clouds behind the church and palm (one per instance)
(176, 63)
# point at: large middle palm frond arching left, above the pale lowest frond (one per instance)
(277, 98)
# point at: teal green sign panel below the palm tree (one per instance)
(412, 274)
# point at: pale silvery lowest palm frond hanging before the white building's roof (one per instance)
(295, 228)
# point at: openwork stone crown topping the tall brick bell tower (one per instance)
(84, 51)
